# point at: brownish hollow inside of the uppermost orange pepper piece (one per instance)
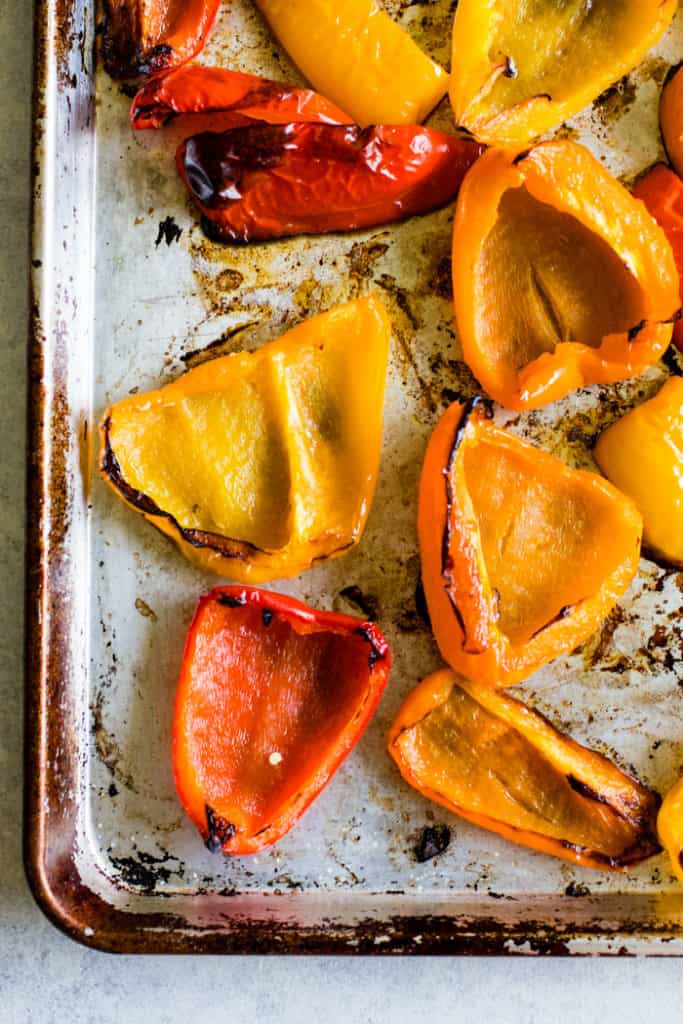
(544, 278)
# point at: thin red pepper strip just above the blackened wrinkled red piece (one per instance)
(232, 99)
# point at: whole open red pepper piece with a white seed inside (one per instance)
(273, 697)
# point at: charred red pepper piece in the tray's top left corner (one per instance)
(144, 37)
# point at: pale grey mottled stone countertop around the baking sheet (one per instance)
(45, 977)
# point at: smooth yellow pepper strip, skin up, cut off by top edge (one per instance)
(356, 55)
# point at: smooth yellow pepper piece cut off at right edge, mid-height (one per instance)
(643, 455)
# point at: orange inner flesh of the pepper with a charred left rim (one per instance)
(547, 544)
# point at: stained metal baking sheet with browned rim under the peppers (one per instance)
(127, 293)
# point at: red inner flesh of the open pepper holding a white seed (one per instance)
(253, 693)
